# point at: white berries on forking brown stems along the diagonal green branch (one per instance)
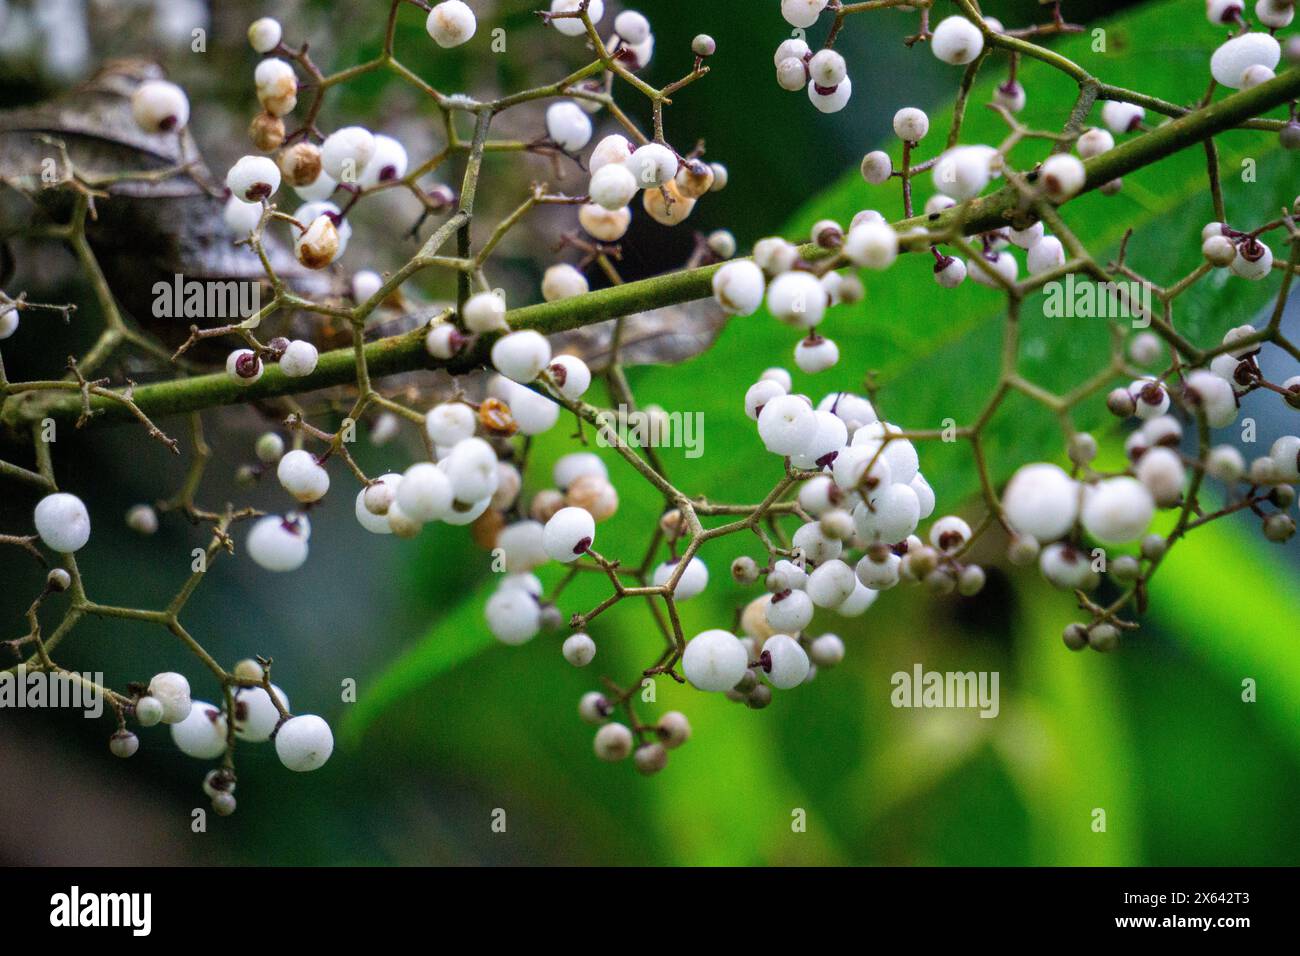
(850, 513)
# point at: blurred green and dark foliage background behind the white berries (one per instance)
(449, 726)
